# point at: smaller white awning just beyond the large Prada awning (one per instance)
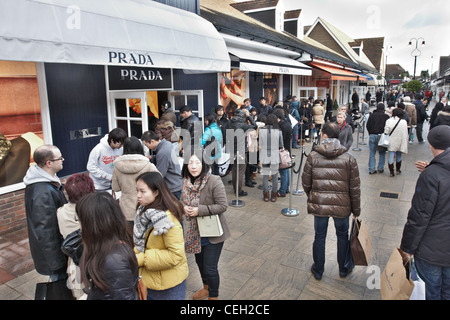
(256, 61)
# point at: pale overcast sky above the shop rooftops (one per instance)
(397, 20)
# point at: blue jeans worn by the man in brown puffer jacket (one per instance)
(320, 229)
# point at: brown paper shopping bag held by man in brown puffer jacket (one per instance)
(360, 243)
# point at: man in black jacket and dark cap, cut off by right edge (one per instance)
(426, 234)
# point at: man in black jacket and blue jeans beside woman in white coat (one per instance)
(375, 127)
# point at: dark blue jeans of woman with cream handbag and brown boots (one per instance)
(207, 261)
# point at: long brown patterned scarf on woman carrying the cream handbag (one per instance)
(190, 196)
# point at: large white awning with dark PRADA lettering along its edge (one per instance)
(109, 32)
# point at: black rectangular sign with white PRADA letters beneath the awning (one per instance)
(131, 78)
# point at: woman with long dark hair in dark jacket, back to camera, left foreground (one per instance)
(108, 265)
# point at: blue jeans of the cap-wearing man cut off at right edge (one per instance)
(437, 279)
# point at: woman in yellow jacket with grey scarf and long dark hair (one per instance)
(158, 239)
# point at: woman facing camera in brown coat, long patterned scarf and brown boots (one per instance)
(203, 194)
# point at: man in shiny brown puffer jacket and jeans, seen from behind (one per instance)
(331, 181)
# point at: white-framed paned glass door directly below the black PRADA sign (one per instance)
(129, 111)
